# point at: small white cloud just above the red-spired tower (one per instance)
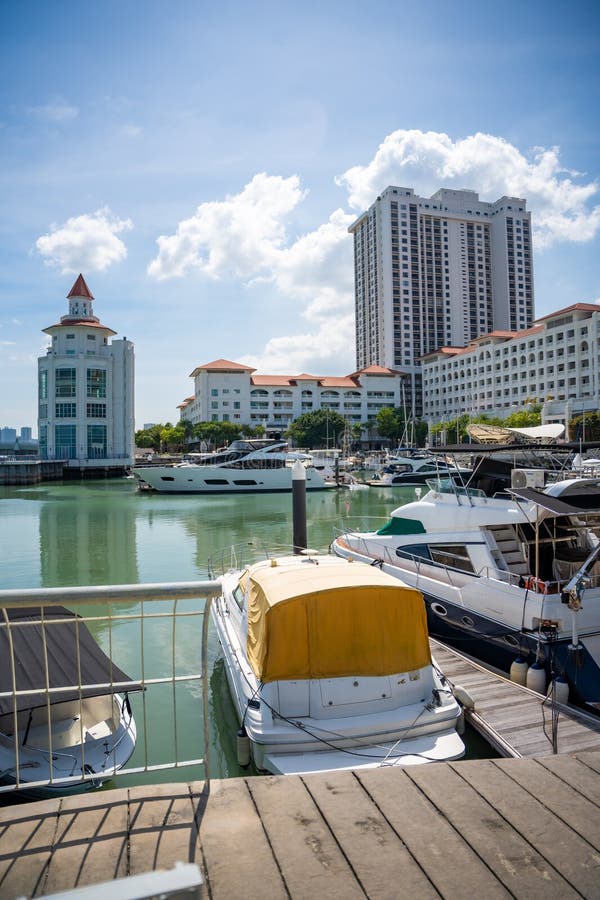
(87, 242)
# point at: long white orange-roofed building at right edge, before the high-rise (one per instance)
(556, 362)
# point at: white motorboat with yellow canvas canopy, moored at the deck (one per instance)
(329, 667)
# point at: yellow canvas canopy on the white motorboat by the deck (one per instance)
(332, 619)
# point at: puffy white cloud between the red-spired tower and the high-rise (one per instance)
(239, 236)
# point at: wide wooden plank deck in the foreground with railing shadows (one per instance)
(499, 828)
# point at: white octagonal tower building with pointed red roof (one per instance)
(86, 390)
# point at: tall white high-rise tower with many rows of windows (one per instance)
(438, 271)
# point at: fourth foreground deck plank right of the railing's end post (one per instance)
(440, 851)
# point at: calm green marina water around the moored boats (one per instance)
(107, 532)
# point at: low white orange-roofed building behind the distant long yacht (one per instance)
(226, 391)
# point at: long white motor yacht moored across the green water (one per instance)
(244, 467)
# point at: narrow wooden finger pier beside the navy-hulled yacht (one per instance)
(513, 718)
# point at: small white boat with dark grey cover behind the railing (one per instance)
(62, 730)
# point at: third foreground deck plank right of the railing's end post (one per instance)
(382, 863)
